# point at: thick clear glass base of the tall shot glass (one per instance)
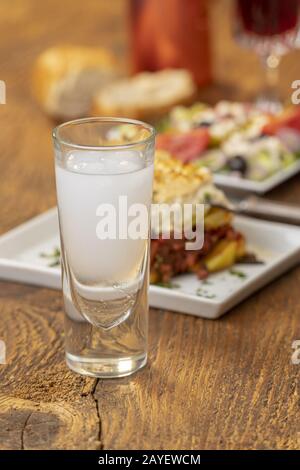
(106, 368)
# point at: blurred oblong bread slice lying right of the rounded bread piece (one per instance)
(146, 94)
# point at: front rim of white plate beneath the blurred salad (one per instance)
(259, 187)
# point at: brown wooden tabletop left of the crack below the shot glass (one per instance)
(42, 403)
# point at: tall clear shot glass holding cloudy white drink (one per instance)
(104, 175)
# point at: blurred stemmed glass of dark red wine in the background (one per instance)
(271, 29)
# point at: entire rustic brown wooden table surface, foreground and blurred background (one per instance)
(227, 384)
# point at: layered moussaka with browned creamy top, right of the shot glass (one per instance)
(175, 182)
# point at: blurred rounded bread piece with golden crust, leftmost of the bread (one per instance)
(65, 78)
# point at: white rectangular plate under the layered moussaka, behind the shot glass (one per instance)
(276, 244)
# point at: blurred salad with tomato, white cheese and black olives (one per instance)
(231, 138)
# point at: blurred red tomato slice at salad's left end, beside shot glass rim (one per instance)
(185, 146)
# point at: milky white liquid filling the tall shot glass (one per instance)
(87, 180)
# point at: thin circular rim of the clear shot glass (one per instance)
(69, 143)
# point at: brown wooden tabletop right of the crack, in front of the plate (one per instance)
(227, 384)
